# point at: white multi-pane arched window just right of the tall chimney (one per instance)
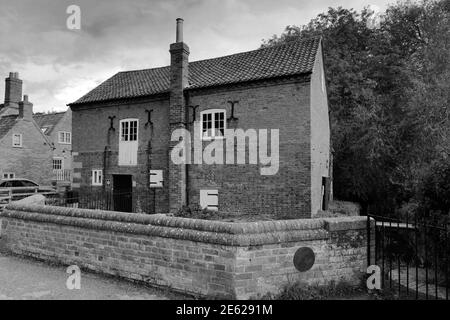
(213, 124)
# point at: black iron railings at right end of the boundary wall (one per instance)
(413, 256)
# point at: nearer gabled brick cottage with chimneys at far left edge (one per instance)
(25, 152)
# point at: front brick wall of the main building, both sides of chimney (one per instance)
(242, 189)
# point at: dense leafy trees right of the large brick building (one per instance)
(388, 81)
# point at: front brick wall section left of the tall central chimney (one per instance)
(91, 135)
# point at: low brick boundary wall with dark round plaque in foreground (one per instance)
(206, 258)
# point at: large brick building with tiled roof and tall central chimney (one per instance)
(122, 130)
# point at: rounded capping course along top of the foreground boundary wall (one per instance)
(218, 232)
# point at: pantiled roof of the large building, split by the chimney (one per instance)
(293, 58)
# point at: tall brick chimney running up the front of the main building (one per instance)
(179, 72)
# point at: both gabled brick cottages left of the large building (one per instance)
(33, 146)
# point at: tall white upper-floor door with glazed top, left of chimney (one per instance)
(128, 142)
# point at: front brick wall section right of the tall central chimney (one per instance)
(242, 189)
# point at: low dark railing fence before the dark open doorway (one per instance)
(137, 201)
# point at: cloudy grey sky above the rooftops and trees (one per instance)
(59, 65)
